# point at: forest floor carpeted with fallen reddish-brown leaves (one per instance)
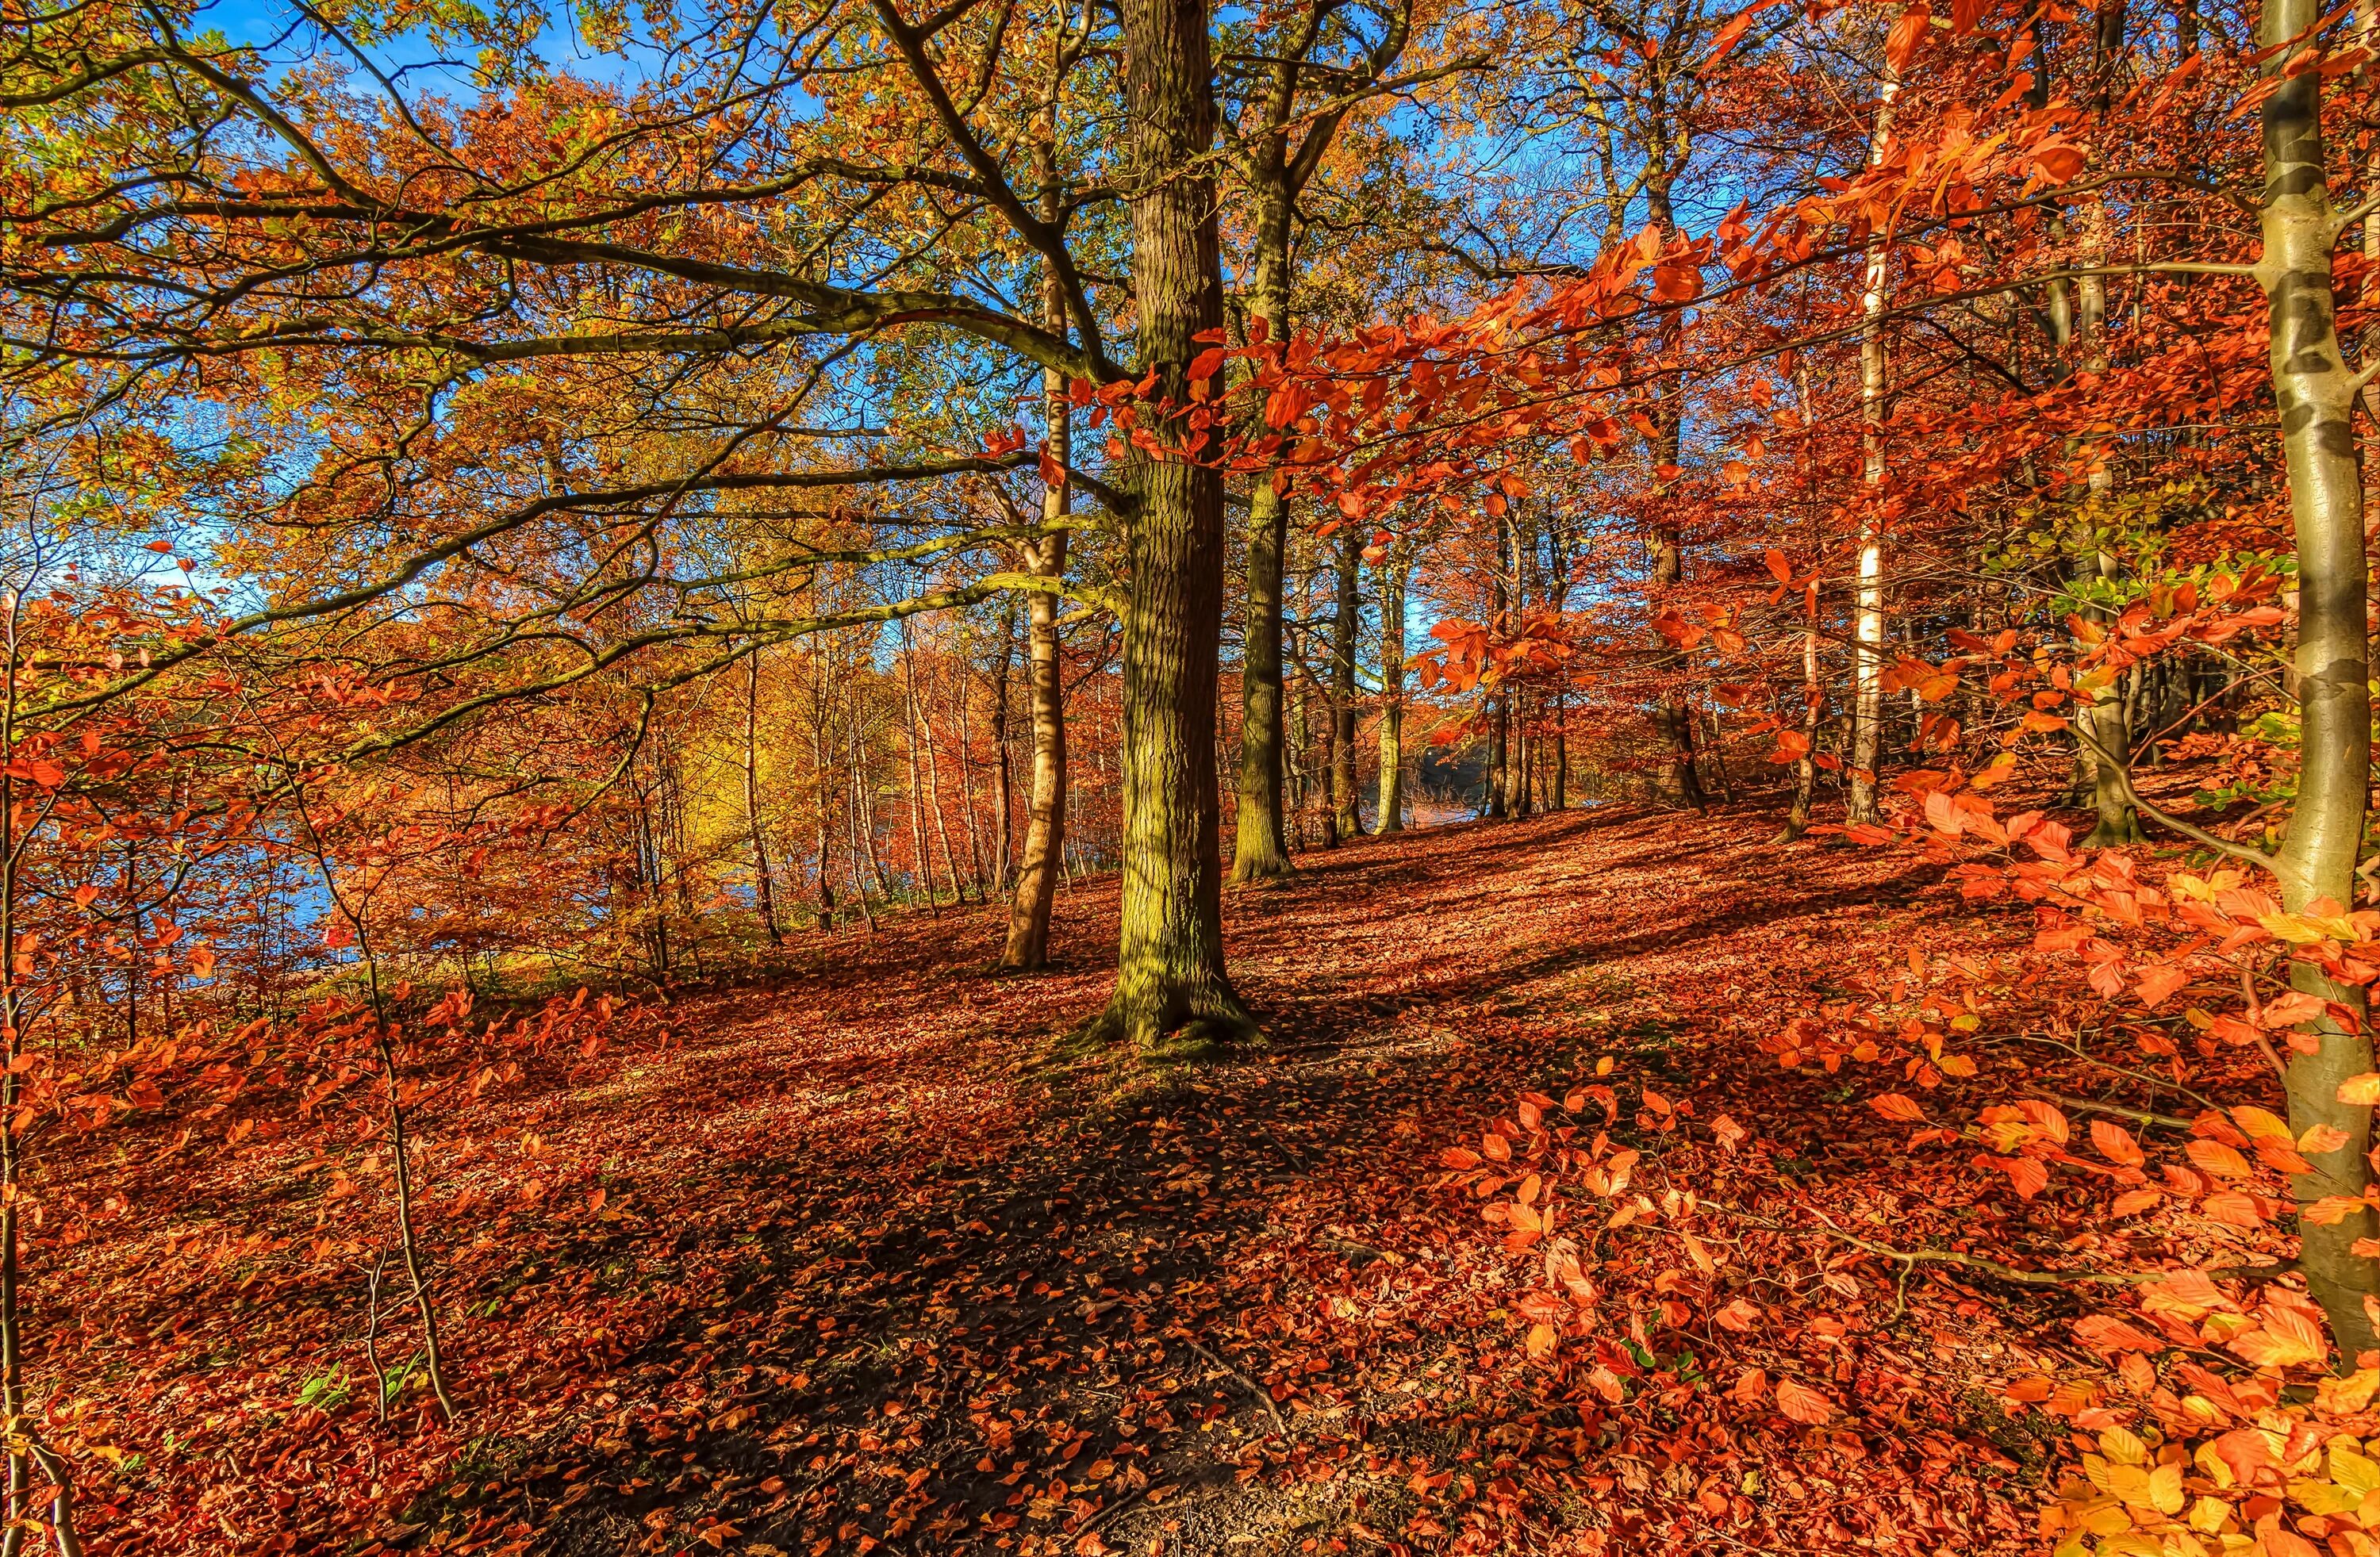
(851, 1263)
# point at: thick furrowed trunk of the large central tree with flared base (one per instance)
(1172, 992)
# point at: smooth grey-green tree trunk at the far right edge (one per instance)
(2326, 501)
